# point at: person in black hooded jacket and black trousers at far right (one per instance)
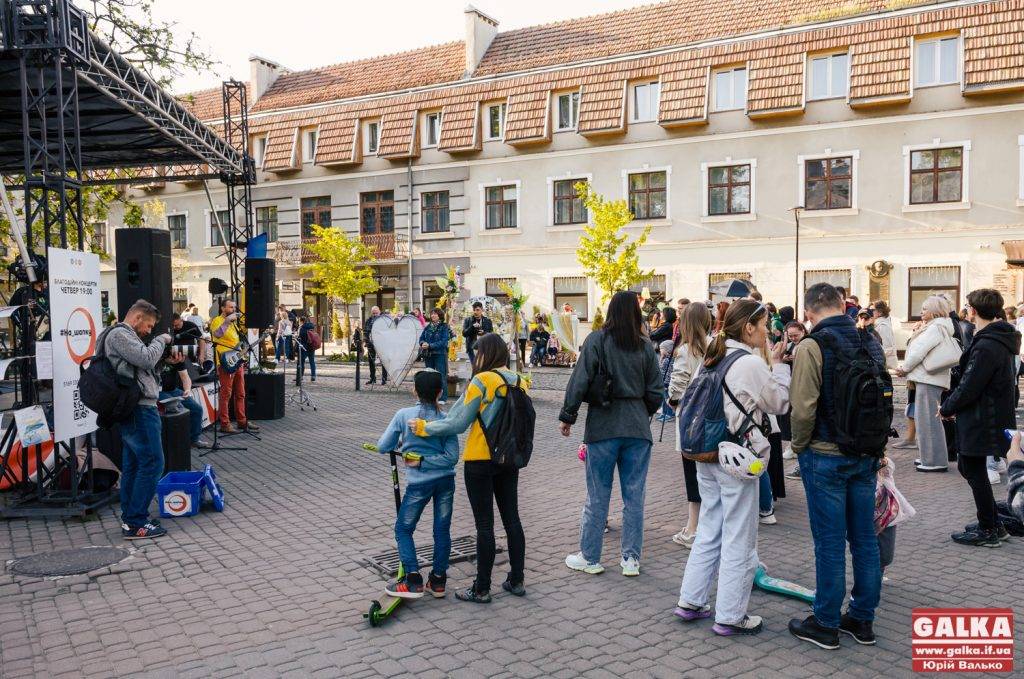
(984, 405)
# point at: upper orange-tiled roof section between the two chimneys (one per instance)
(438, 64)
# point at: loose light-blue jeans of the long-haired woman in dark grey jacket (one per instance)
(632, 456)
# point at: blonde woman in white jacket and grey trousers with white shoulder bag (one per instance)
(930, 356)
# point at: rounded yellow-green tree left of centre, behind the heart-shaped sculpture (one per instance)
(339, 270)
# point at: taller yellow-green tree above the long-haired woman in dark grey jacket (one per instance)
(605, 251)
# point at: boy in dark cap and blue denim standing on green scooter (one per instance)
(430, 477)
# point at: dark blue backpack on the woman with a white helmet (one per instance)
(702, 422)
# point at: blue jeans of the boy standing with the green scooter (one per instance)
(442, 491)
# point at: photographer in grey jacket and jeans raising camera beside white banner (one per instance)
(141, 435)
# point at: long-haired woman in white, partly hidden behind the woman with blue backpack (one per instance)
(695, 328)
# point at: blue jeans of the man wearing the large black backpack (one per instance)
(841, 507)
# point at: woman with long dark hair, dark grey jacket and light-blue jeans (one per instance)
(617, 435)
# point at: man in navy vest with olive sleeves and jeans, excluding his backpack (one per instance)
(840, 489)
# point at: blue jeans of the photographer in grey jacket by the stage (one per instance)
(142, 464)
